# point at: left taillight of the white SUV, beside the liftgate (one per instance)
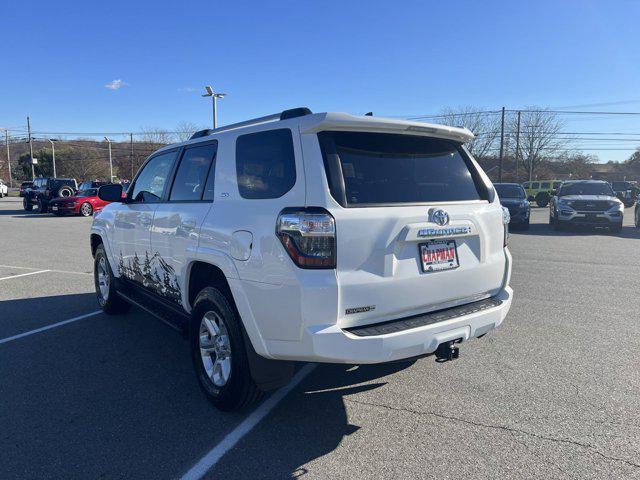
(309, 237)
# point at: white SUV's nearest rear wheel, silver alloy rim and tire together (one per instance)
(219, 354)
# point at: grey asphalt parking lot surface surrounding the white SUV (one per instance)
(552, 394)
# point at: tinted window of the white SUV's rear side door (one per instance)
(191, 177)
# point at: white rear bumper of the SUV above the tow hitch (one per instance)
(332, 344)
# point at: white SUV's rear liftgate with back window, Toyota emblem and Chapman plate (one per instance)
(417, 226)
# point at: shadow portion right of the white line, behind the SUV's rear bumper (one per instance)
(309, 424)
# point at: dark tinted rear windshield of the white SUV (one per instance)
(383, 169)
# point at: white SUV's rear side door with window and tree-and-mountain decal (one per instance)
(177, 221)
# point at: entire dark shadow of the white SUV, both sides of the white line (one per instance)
(78, 399)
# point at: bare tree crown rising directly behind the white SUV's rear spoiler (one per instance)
(484, 125)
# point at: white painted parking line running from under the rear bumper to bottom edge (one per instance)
(229, 441)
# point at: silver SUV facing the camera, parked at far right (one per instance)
(586, 202)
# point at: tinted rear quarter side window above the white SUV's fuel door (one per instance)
(265, 164)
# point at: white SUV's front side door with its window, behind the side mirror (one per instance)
(133, 220)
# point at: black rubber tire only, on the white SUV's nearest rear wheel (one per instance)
(240, 389)
